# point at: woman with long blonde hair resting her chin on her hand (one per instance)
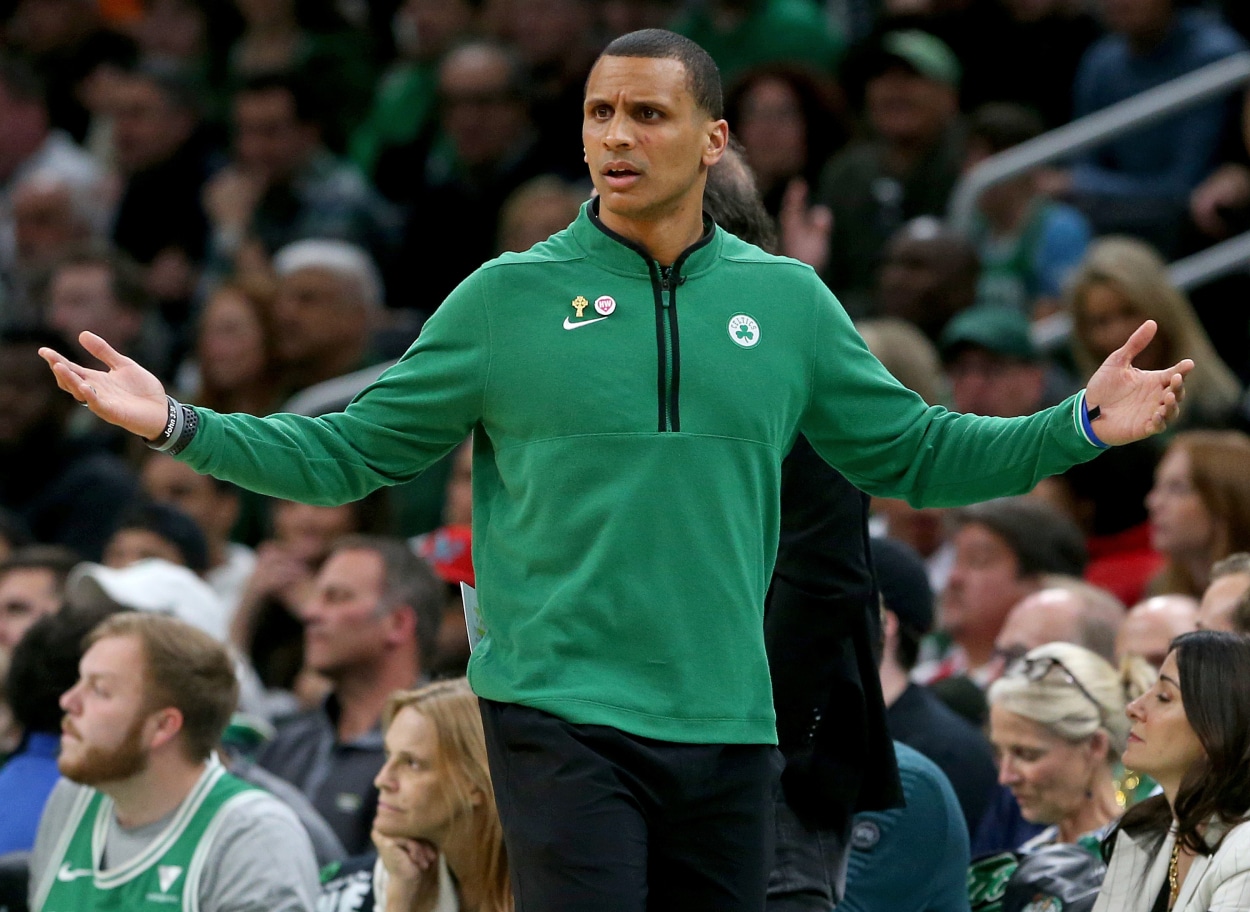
(439, 840)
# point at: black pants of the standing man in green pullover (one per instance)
(601, 821)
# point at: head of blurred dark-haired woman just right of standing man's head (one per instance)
(789, 122)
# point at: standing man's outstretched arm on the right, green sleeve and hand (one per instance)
(887, 443)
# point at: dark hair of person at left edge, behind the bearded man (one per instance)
(46, 664)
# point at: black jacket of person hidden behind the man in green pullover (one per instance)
(822, 633)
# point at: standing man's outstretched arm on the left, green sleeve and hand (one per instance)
(404, 422)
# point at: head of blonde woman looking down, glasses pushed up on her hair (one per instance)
(1058, 728)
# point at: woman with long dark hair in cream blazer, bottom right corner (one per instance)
(1188, 850)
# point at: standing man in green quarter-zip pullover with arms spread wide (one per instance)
(634, 384)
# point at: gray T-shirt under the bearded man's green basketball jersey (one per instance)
(262, 860)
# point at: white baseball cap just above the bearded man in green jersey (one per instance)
(151, 585)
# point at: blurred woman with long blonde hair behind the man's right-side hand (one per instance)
(1123, 282)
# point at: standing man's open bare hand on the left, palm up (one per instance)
(126, 395)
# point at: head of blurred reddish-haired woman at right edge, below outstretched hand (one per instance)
(1199, 508)
